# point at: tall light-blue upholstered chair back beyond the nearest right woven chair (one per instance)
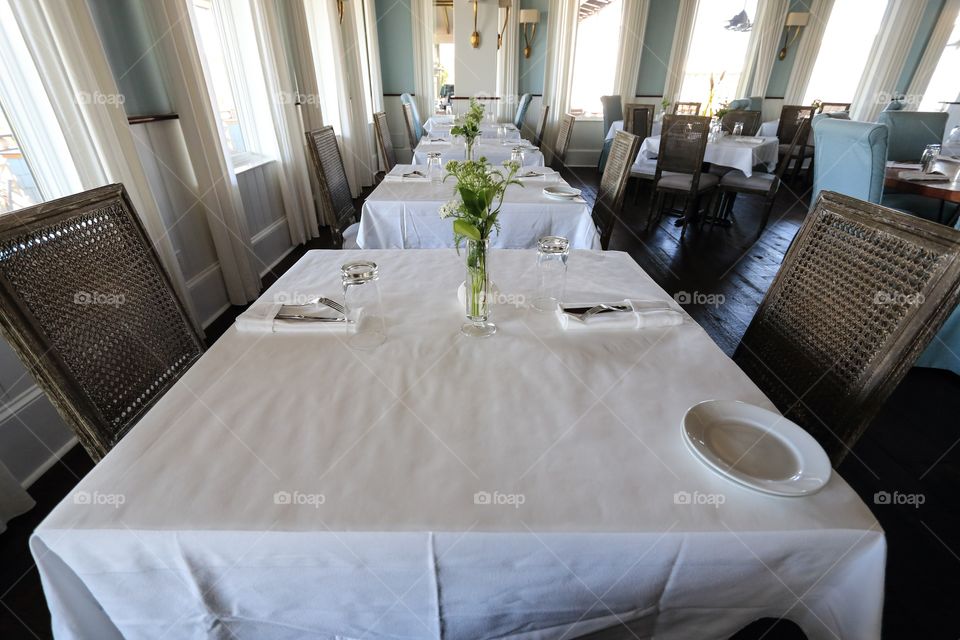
(850, 157)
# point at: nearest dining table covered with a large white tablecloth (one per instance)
(529, 485)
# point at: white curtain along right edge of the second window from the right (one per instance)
(885, 63)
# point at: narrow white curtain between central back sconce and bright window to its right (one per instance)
(558, 75)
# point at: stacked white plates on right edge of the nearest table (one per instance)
(757, 448)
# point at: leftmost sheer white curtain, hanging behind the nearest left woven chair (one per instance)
(66, 48)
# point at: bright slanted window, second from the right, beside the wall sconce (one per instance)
(846, 44)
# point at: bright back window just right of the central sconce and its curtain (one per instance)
(595, 55)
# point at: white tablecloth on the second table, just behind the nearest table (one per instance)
(406, 215)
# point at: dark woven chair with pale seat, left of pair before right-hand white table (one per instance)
(683, 142)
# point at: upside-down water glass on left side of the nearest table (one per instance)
(364, 307)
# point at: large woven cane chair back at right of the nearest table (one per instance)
(860, 293)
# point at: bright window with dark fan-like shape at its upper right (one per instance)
(717, 52)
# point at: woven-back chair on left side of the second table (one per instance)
(334, 188)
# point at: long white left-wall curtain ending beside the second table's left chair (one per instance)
(294, 175)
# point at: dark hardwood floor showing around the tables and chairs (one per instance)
(911, 447)
